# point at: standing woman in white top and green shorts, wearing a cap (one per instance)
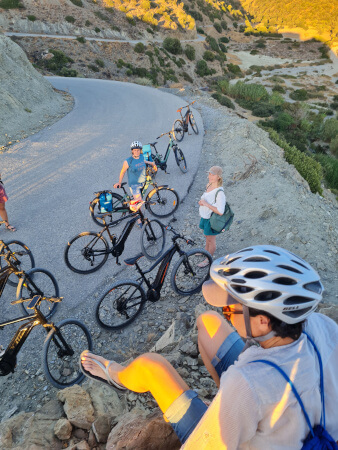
(212, 201)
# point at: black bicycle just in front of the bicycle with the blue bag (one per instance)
(88, 251)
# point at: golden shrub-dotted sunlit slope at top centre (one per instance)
(169, 14)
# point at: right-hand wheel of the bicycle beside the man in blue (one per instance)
(166, 201)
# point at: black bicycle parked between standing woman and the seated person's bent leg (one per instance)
(124, 300)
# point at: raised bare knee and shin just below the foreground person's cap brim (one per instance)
(212, 331)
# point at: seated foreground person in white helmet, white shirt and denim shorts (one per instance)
(269, 295)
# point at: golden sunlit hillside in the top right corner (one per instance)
(317, 18)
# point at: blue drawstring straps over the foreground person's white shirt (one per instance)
(294, 390)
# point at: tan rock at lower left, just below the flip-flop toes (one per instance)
(77, 406)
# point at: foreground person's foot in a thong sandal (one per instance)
(101, 368)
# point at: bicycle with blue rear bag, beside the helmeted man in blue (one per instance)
(161, 201)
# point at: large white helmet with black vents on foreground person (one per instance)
(270, 279)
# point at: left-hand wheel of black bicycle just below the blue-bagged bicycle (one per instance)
(86, 252)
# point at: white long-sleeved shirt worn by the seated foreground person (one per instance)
(255, 407)
